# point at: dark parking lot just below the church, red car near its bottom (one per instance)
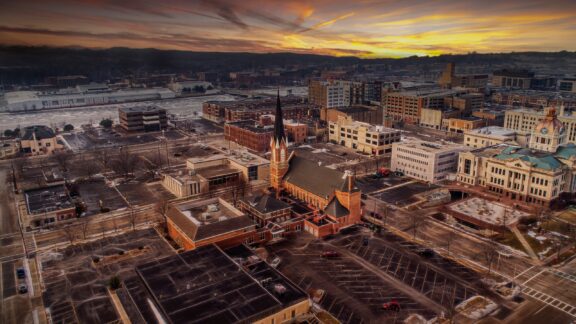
(354, 294)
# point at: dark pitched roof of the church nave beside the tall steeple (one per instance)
(308, 175)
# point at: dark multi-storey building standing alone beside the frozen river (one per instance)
(143, 118)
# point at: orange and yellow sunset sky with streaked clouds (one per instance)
(365, 28)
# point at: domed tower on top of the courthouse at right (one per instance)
(548, 133)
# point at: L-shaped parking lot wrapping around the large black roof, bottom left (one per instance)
(76, 285)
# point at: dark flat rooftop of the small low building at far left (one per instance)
(47, 199)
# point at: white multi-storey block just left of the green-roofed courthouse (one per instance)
(426, 161)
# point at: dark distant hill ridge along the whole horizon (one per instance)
(25, 65)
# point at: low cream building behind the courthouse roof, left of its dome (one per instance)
(494, 135)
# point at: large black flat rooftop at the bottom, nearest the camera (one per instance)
(206, 286)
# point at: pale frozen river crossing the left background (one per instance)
(180, 107)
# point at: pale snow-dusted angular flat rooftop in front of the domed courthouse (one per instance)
(488, 211)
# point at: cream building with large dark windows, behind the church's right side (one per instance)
(363, 137)
